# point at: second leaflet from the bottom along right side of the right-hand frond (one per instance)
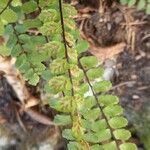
(122, 134)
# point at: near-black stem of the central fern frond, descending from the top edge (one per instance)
(65, 43)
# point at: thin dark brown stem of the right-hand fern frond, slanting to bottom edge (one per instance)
(96, 98)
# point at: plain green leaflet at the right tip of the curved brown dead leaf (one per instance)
(62, 119)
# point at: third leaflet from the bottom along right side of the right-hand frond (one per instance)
(118, 122)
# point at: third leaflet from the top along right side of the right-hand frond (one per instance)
(102, 86)
